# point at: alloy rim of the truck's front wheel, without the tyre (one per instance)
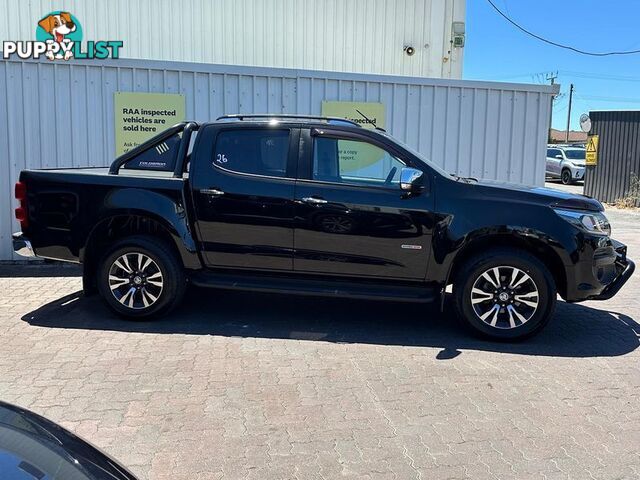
(504, 297)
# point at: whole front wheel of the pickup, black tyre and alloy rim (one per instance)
(504, 294)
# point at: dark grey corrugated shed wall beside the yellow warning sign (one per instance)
(618, 154)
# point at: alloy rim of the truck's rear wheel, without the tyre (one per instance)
(135, 280)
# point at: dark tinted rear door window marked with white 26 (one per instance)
(258, 152)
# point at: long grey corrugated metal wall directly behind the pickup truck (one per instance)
(60, 114)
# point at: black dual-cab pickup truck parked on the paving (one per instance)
(321, 206)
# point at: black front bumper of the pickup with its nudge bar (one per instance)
(601, 274)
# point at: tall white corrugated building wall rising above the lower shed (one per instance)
(365, 36)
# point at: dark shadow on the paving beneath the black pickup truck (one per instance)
(576, 330)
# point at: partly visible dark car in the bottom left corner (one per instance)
(34, 448)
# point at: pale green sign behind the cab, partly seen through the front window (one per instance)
(357, 156)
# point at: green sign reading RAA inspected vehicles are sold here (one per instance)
(140, 116)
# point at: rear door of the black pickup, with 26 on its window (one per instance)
(242, 187)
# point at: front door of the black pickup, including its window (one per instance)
(352, 219)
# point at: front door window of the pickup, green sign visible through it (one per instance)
(352, 161)
